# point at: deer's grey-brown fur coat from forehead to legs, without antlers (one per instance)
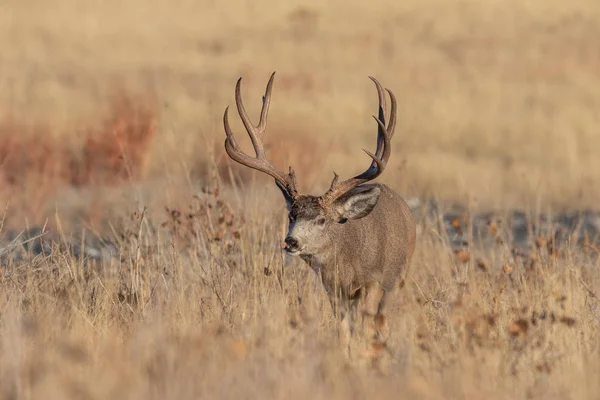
(360, 260)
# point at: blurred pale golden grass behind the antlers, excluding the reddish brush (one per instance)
(497, 100)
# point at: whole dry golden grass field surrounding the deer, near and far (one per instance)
(110, 126)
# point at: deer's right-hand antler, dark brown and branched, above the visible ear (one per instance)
(382, 153)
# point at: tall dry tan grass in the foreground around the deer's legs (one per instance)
(202, 304)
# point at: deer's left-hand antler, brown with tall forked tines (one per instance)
(286, 182)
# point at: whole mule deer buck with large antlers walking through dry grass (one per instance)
(358, 236)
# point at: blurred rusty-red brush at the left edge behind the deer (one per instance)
(115, 150)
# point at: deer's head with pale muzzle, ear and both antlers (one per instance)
(316, 221)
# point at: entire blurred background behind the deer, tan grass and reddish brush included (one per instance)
(497, 100)
